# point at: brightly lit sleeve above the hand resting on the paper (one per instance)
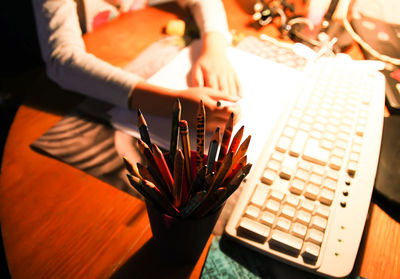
(209, 15)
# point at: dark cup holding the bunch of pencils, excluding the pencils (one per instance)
(180, 240)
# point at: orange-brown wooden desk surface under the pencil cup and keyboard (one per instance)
(58, 222)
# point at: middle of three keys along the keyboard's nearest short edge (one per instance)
(285, 242)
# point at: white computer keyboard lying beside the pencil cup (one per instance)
(307, 197)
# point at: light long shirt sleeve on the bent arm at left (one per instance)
(66, 59)
